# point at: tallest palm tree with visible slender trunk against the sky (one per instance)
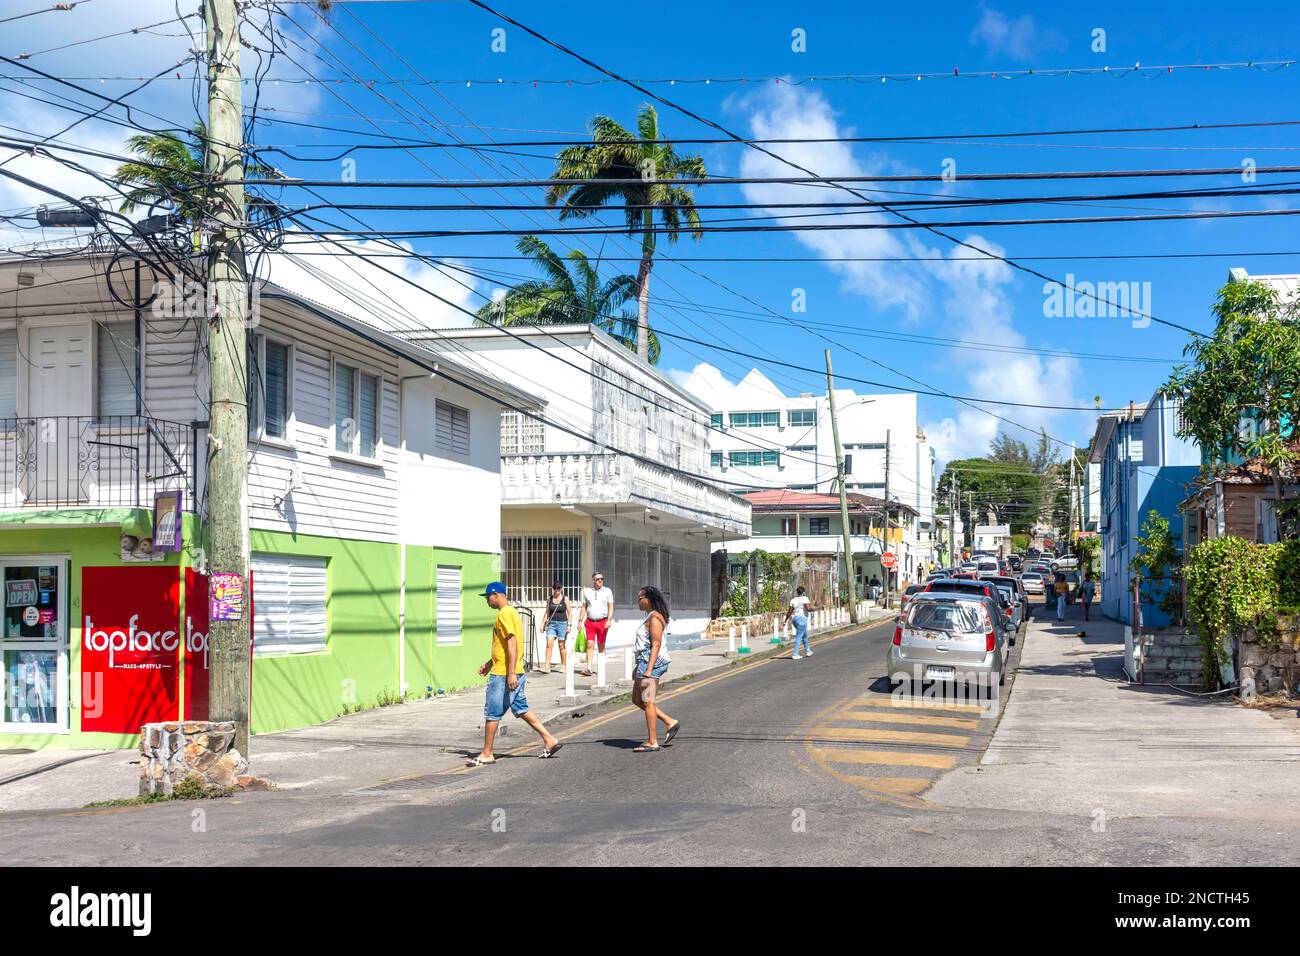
(617, 155)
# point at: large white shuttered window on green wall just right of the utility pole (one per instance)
(289, 604)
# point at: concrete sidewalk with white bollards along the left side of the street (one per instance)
(361, 750)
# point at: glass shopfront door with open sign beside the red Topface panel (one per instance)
(34, 644)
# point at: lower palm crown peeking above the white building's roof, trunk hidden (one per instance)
(570, 293)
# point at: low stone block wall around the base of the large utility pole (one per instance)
(175, 751)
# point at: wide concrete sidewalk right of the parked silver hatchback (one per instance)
(1078, 738)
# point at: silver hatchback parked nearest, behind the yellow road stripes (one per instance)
(950, 637)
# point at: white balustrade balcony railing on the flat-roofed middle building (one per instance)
(608, 479)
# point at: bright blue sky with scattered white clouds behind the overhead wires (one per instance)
(881, 302)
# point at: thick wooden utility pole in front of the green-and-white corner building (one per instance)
(228, 357)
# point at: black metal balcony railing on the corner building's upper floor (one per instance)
(94, 461)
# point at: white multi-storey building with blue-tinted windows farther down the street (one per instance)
(764, 439)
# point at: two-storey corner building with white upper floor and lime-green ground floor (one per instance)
(374, 508)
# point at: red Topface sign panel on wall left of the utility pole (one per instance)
(131, 647)
